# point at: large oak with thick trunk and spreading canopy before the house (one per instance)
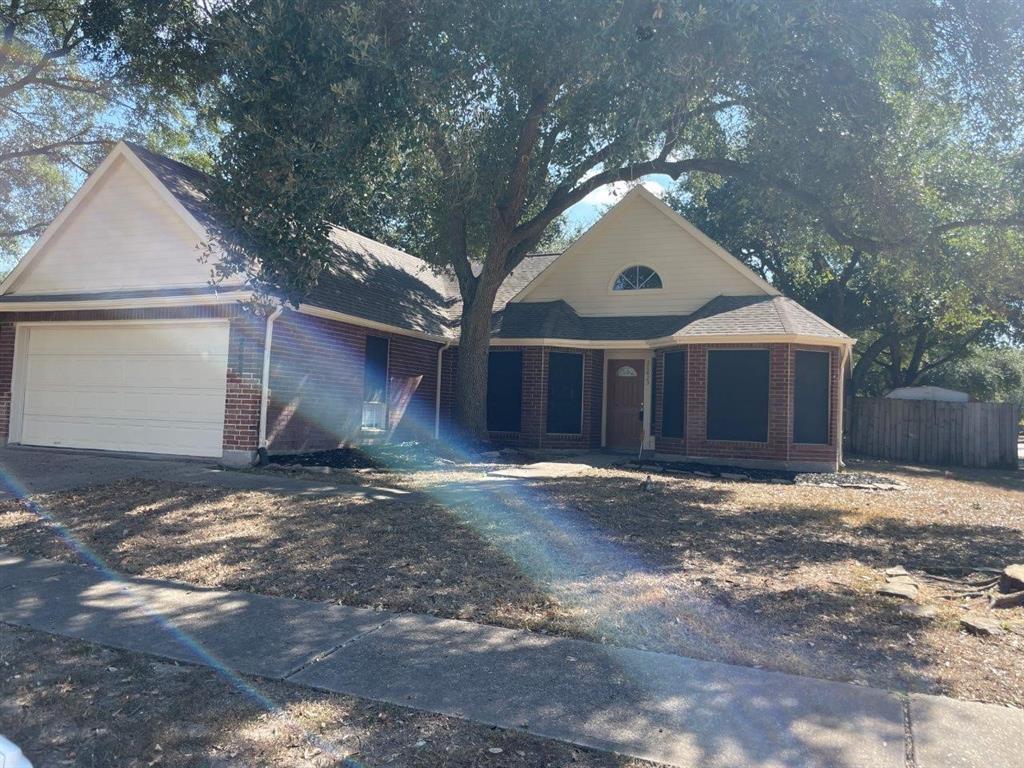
(464, 130)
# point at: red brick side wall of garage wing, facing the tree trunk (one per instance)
(317, 368)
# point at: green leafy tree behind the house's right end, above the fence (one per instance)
(920, 304)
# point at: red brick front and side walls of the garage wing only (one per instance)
(316, 379)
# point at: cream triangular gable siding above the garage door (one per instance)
(122, 236)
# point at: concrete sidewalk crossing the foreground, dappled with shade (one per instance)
(655, 706)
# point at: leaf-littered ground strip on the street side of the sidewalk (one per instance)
(74, 704)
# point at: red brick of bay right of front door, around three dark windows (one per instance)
(780, 446)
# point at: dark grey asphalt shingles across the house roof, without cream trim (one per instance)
(375, 282)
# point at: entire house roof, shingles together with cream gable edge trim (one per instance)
(383, 285)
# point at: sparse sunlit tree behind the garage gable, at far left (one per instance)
(63, 102)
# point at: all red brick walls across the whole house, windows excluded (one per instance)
(317, 389)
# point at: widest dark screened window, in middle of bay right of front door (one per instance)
(738, 395)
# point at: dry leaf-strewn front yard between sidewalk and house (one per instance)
(783, 577)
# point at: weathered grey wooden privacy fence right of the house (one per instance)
(965, 435)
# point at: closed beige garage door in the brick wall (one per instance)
(155, 388)
